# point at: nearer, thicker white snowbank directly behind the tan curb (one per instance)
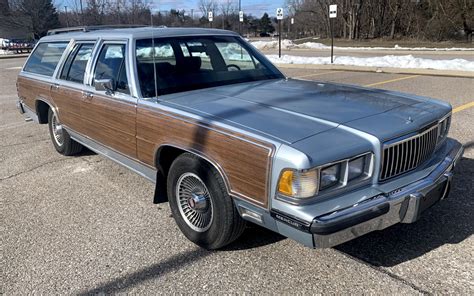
(406, 61)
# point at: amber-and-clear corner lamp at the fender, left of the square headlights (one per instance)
(299, 184)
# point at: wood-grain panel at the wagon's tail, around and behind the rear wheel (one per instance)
(30, 89)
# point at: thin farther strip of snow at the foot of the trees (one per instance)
(288, 44)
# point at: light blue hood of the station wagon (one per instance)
(291, 110)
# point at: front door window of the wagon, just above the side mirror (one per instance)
(111, 65)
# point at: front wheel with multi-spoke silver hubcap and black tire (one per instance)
(200, 204)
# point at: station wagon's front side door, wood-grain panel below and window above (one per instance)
(109, 117)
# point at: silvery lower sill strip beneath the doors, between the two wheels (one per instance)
(135, 166)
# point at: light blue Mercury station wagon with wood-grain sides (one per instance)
(227, 138)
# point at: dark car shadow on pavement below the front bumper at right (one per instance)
(448, 222)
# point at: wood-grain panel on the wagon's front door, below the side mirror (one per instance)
(110, 122)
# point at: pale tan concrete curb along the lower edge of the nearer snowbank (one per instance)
(427, 72)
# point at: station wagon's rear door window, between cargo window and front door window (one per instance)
(75, 65)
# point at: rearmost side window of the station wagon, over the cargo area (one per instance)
(45, 58)
